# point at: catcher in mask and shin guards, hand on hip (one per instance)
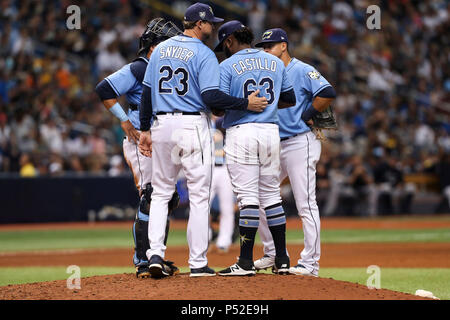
(128, 81)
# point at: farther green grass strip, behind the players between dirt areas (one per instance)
(121, 238)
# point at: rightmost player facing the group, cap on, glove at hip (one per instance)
(300, 152)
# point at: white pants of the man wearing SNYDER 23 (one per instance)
(181, 142)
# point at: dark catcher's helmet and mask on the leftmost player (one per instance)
(157, 30)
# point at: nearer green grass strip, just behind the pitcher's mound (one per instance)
(436, 280)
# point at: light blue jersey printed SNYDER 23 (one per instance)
(179, 71)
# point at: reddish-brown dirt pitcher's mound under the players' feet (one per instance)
(182, 287)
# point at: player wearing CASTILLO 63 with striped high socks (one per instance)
(252, 142)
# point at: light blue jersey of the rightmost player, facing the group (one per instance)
(308, 83)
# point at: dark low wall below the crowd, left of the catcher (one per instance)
(62, 199)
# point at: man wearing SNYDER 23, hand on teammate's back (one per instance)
(181, 84)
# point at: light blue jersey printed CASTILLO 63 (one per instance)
(245, 72)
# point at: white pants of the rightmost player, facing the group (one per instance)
(299, 156)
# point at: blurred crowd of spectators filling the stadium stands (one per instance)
(393, 88)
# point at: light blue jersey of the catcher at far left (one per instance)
(123, 82)
